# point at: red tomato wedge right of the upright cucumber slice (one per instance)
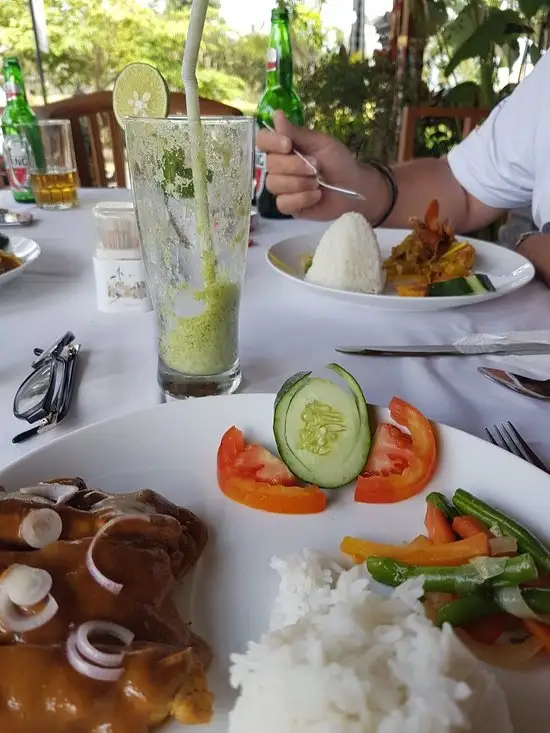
(400, 465)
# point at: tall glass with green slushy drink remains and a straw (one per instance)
(196, 289)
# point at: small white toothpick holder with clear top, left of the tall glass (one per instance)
(120, 280)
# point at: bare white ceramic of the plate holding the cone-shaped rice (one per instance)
(521, 275)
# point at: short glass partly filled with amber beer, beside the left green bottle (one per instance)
(52, 163)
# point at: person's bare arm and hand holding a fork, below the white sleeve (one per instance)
(418, 182)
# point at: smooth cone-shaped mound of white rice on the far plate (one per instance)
(348, 257)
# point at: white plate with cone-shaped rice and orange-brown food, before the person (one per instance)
(425, 269)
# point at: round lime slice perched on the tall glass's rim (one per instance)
(140, 91)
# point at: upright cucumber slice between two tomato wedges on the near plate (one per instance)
(322, 430)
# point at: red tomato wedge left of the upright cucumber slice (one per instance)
(251, 475)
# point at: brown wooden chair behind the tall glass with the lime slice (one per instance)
(96, 131)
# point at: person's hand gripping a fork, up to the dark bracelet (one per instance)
(294, 183)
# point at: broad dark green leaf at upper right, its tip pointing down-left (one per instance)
(494, 31)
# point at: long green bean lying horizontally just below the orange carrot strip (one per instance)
(461, 579)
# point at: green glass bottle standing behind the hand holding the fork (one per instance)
(279, 94)
